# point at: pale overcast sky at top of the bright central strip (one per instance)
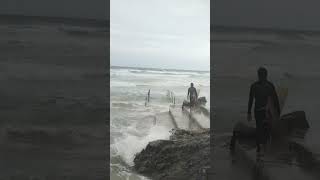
(160, 33)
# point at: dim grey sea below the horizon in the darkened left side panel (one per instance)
(53, 100)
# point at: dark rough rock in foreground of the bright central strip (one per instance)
(184, 156)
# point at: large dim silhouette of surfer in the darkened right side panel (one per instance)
(260, 91)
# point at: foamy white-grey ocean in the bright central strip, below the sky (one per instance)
(134, 122)
